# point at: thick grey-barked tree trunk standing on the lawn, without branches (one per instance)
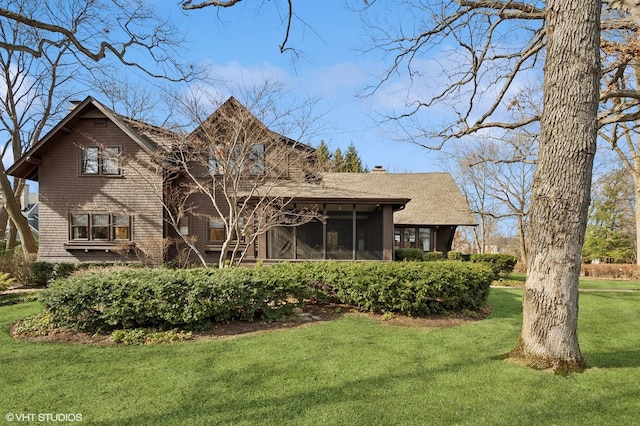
(561, 187)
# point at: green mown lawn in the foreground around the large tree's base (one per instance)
(349, 371)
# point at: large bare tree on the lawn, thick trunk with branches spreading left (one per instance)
(482, 72)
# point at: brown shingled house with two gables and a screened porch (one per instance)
(104, 188)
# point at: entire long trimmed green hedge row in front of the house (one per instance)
(167, 299)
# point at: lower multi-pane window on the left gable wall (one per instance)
(100, 227)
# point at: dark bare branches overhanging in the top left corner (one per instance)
(126, 31)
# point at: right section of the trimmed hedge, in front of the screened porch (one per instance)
(410, 288)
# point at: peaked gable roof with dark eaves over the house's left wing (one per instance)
(147, 136)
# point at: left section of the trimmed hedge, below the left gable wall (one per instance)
(165, 299)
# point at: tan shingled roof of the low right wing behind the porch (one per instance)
(435, 197)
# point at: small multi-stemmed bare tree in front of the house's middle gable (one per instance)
(234, 169)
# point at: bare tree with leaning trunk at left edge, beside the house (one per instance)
(31, 95)
